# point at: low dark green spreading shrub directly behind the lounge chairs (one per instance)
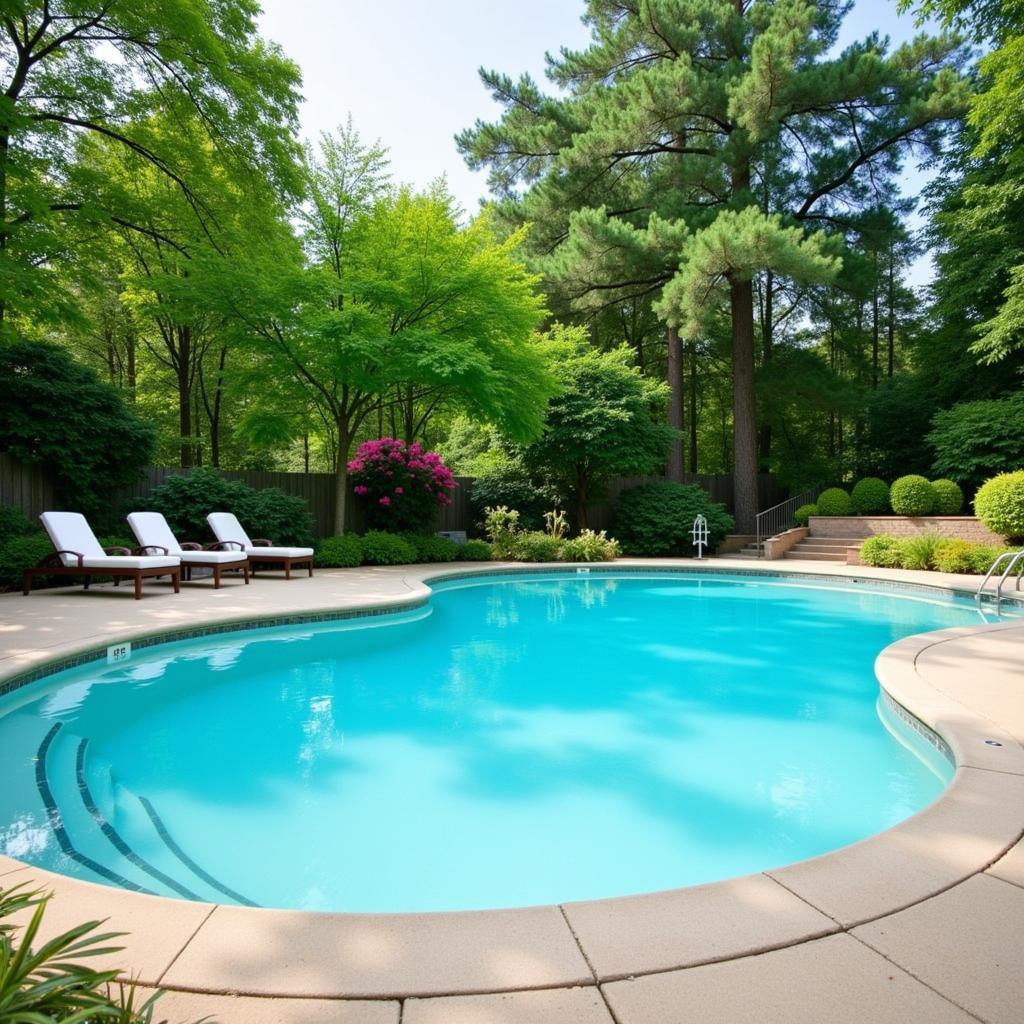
(186, 501)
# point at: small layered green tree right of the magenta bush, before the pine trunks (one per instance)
(608, 421)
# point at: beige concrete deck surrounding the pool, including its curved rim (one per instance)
(922, 923)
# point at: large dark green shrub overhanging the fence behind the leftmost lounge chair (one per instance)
(60, 416)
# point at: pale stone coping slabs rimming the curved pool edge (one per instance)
(216, 949)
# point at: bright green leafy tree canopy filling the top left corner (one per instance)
(74, 69)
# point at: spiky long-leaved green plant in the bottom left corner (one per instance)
(48, 983)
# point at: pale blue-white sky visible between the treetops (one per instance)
(407, 71)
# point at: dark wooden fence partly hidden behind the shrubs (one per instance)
(34, 493)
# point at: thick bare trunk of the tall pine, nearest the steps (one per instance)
(745, 429)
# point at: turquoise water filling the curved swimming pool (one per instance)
(517, 741)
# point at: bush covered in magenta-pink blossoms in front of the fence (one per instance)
(402, 485)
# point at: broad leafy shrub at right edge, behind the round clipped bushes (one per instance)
(975, 440)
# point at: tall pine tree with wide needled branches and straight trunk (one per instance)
(697, 145)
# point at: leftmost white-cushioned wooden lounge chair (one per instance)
(79, 553)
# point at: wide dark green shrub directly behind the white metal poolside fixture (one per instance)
(657, 520)
